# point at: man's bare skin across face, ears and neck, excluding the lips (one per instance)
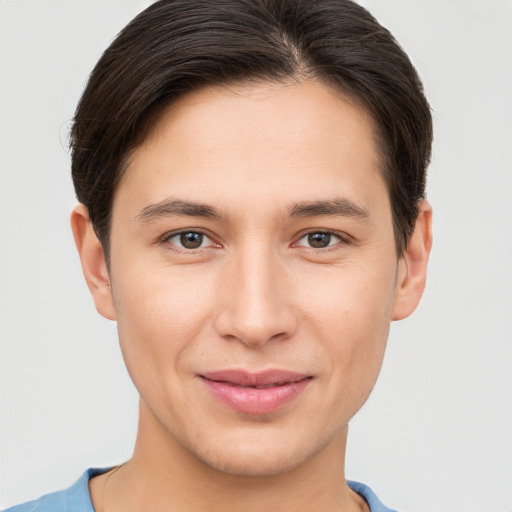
(256, 295)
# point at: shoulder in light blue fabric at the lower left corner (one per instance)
(73, 499)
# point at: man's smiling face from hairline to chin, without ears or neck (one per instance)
(254, 273)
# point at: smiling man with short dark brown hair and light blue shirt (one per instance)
(251, 181)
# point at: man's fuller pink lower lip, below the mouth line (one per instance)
(256, 401)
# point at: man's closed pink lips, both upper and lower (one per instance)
(255, 393)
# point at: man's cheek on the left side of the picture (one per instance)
(159, 321)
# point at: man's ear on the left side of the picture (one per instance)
(93, 262)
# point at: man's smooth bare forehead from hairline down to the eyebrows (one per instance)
(281, 139)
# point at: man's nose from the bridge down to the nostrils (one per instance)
(256, 300)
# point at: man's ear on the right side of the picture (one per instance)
(412, 267)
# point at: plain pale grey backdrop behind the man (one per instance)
(436, 435)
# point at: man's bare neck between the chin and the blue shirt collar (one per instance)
(163, 475)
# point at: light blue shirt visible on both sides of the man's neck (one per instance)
(77, 498)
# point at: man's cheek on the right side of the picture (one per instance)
(351, 313)
